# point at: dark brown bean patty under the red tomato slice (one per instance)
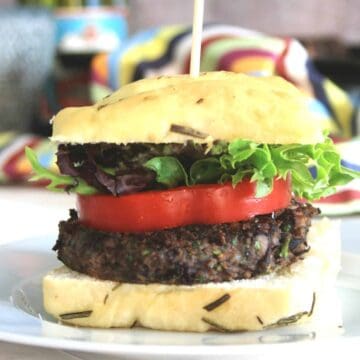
(191, 254)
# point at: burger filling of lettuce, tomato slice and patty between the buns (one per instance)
(189, 213)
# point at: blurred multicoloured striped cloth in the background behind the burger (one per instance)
(166, 50)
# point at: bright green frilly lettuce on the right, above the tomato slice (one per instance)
(315, 170)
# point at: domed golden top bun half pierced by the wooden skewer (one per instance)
(174, 109)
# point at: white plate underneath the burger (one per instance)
(23, 319)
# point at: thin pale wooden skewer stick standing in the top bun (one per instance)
(198, 20)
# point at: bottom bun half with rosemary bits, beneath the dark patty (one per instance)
(252, 304)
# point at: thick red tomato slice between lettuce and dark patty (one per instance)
(163, 209)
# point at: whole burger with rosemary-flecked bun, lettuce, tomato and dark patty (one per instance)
(192, 207)
